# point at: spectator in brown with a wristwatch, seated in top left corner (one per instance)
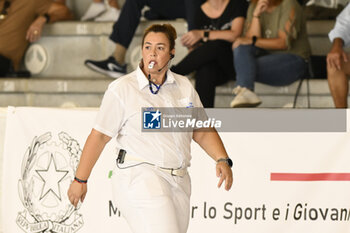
(22, 22)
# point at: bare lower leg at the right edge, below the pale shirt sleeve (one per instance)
(338, 84)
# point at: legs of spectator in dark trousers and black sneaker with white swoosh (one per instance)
(124, 29)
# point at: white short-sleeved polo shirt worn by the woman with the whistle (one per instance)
(120, 115)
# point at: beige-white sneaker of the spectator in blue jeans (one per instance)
(244, 98)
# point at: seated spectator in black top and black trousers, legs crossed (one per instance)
(217, 24)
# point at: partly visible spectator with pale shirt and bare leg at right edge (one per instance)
(338, 62)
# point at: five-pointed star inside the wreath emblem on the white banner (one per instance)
(51, 178)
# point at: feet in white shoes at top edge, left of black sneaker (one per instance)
(98, 11)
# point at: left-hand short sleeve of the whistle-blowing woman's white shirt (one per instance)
(110, 117)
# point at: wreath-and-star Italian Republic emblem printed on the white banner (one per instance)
(48, 168)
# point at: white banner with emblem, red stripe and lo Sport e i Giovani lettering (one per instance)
(283, 182)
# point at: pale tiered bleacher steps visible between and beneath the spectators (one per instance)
(65, 81)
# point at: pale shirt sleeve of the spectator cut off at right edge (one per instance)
(342, 27)
